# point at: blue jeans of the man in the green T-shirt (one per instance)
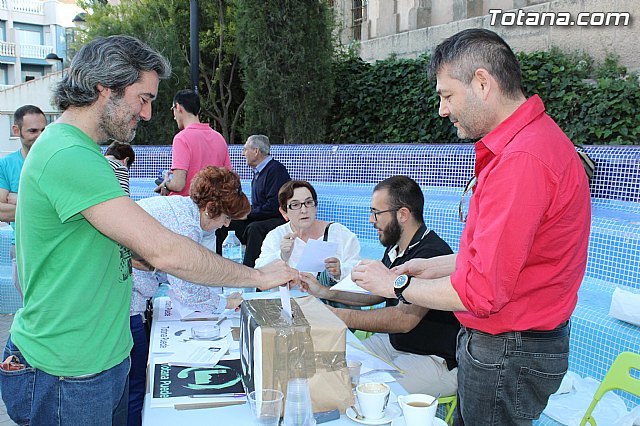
(37, 398)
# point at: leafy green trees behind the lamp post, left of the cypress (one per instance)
(164, 25)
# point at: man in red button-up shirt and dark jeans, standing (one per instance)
(523, 251)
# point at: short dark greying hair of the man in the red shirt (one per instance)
(465, 52)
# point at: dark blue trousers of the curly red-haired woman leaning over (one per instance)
(138, 373)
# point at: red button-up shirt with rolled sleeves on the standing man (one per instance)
(523, 251)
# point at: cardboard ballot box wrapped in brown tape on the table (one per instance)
(312, 346)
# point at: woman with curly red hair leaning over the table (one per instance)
(215, 197)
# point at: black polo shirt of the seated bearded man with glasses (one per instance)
(437, 332)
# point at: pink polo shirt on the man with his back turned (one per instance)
(196, 147)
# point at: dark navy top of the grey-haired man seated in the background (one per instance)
(264, 191)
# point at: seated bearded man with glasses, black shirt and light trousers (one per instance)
(419, 342)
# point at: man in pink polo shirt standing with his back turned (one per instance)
(195, 147)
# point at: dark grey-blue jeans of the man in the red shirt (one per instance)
(506, 379)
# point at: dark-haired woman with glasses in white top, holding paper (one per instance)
(298, 202)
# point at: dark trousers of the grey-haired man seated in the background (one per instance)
(250, 233)
